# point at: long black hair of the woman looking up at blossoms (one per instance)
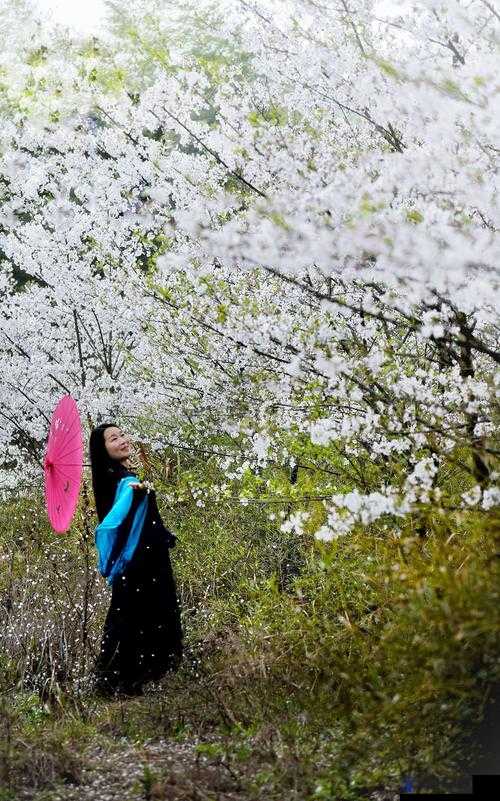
(106, 472)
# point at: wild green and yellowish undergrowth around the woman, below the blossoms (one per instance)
(363, 663)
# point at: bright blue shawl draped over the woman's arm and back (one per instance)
(106, 532)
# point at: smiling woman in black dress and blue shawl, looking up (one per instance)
(142, 636)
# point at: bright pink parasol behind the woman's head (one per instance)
(63, 464)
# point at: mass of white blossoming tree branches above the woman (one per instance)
(296, 251)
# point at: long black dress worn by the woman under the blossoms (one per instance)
(142, 636)
